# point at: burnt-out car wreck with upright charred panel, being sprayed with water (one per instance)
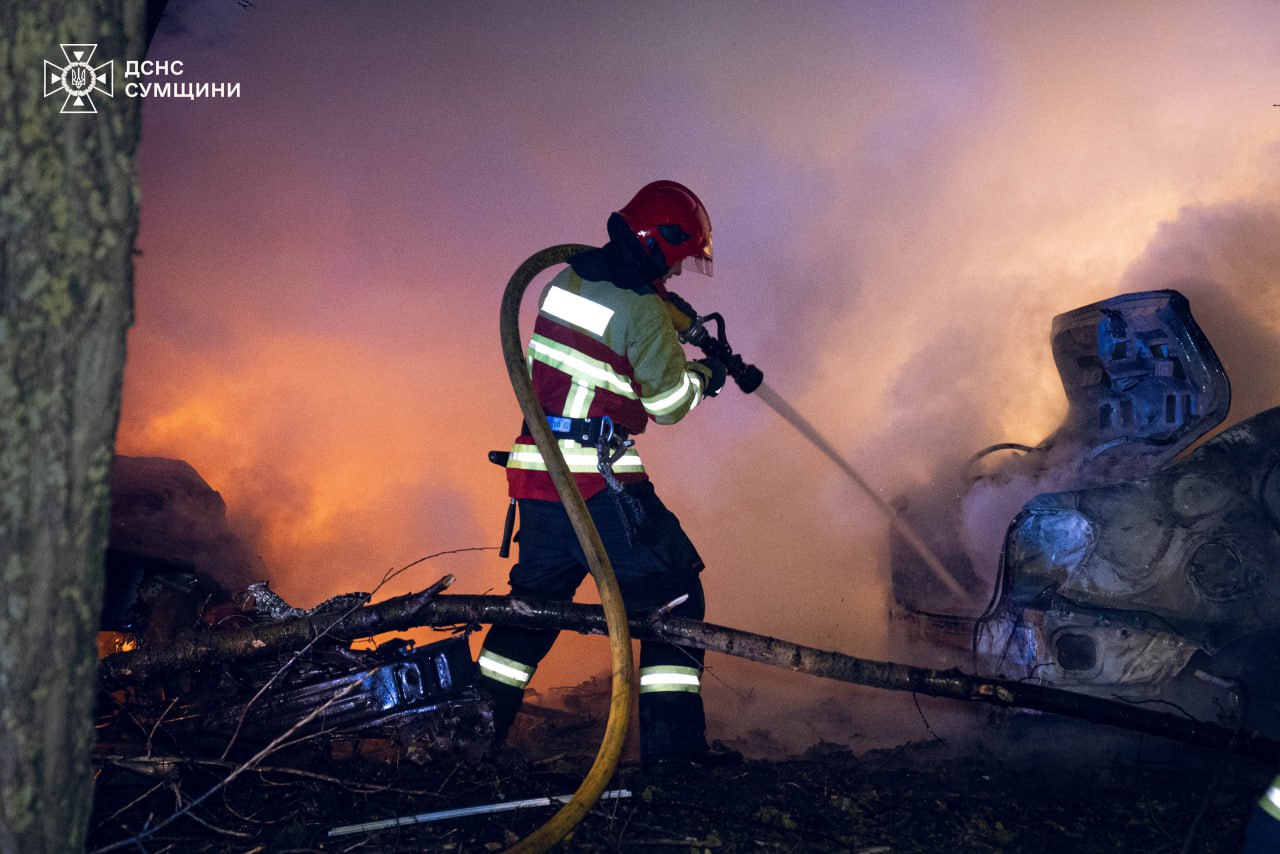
(1122, 570)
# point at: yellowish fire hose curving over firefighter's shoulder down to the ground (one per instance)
(560, 825)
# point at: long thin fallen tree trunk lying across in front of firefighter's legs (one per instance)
(423, 610)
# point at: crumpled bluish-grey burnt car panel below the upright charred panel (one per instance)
(1194, 549)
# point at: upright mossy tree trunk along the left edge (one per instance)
(68, 217)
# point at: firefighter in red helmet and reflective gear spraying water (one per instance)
(605, 359)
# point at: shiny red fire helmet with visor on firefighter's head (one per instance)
(671, 221)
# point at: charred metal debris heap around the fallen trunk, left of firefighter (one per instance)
(423, 698)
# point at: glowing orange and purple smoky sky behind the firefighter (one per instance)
(903, 197)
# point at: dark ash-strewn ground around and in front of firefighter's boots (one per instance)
(1014, 783)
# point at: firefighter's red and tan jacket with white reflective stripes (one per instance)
(598, 350)
